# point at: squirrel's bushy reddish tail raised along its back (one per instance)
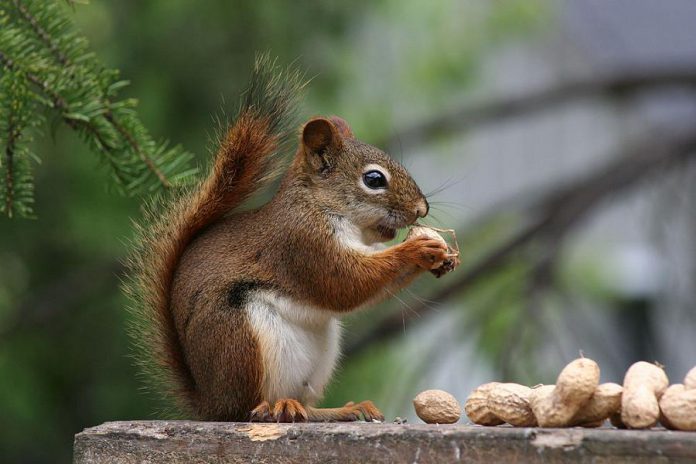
(244, 162)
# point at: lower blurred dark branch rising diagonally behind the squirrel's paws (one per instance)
(555, 215)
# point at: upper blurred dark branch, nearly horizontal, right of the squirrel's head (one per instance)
(472, 115)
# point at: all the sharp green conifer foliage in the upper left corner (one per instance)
(47, 69)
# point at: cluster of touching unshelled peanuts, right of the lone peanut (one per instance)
(578, 399)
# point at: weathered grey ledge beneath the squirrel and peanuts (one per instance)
(210, 442)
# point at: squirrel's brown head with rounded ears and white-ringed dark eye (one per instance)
(357, 181)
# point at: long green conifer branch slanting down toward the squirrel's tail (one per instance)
(39, 42)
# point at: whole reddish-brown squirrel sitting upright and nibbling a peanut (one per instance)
(238, 311)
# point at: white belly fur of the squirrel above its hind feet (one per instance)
(299, 346)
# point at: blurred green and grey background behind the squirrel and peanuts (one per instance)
(550, 133)
